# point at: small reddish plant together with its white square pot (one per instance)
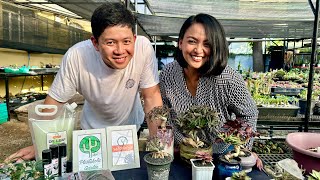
(202, 167)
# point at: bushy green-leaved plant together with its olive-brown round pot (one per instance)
(196, 124)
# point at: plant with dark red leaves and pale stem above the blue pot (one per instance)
(237, 133)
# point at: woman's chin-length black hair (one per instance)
(216, 39)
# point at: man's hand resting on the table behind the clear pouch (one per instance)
(26, 153)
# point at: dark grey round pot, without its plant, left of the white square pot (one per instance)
(158, 169)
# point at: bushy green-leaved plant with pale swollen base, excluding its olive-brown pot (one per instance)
(197, 122)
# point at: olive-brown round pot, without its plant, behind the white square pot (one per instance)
(188, 152)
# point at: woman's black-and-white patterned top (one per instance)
(226, 93)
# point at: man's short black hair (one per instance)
(108, 15)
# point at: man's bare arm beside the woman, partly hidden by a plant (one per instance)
(152, 98)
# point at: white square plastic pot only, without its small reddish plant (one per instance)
(201, 172)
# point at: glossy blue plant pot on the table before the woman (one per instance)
(226, 169)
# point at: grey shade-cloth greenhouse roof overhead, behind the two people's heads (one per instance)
(240, 18)
